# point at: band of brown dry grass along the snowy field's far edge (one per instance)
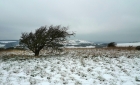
(85, 52)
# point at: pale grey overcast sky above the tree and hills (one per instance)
(92, 20)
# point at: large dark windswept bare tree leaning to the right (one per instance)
(54, 36)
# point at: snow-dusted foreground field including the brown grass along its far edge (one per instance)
(71, 67)
